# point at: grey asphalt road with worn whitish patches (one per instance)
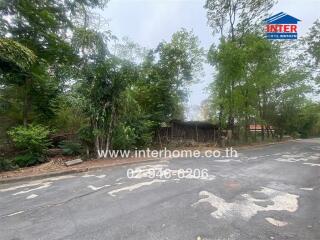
(270, 192)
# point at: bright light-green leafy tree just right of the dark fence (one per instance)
(252, 66)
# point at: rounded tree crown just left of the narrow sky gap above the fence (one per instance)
(167, 72)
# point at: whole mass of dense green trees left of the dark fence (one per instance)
(57, 69)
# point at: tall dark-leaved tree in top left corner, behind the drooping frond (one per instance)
(44, 27)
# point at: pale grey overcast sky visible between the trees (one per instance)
(147, 22)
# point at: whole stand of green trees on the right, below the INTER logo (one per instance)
(254, 84)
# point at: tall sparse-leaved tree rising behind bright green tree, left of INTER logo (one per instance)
(233, 19)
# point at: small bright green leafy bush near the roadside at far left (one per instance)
(32, 141)
